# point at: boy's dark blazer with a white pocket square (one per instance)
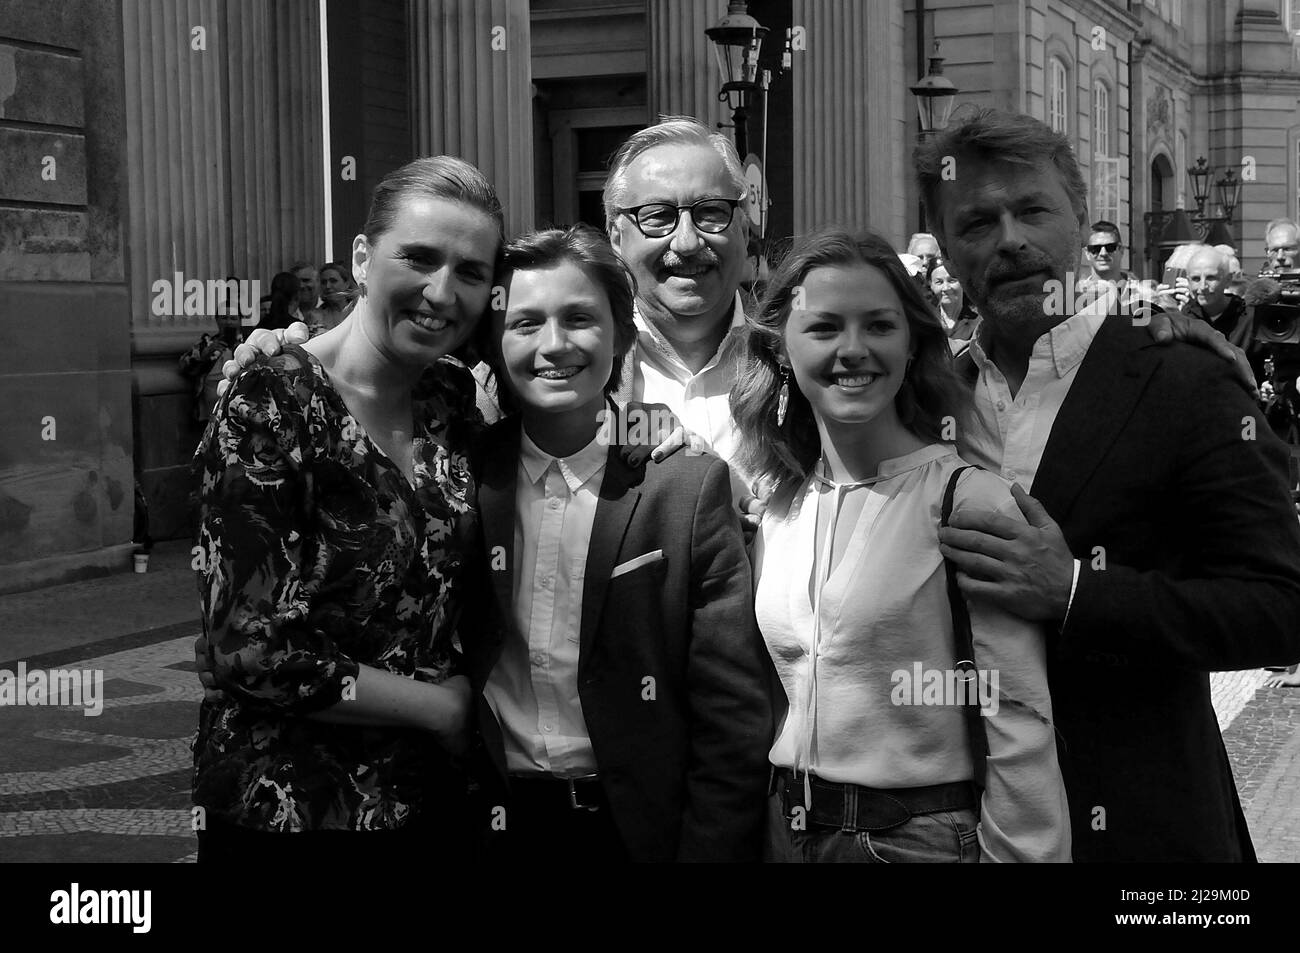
(687, 773)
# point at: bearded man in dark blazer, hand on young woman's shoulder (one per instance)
(1163, 544)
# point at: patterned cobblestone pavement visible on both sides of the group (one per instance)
(116, 787)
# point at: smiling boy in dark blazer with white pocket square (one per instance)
(623, 688)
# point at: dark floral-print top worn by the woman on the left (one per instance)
(318, 556)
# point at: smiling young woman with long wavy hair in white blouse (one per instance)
(848, 408)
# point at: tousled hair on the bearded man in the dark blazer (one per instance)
(998, 136)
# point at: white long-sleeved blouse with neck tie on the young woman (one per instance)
(872, 695)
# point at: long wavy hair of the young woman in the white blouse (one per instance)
(785, 457)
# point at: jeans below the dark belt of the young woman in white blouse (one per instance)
(941, 838)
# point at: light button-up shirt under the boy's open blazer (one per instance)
(534, 687)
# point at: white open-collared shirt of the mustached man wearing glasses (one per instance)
(701, 401)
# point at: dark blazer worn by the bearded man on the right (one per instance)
(1162, 458)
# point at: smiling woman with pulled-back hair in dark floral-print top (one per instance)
(337, 508)
